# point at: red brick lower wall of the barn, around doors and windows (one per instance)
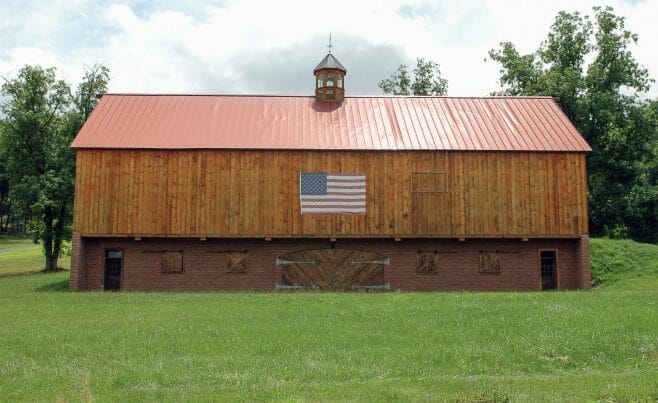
(205, 264)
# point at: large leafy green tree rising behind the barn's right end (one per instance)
(602, 100)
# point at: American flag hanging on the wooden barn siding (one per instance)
(327, 193)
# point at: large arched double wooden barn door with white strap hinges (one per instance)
(333, 269)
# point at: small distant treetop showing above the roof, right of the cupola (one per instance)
(427, 80)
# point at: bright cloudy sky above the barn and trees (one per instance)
(271, 47)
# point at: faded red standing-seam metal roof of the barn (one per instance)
(301, 123)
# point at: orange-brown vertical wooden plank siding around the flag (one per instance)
(255, 193)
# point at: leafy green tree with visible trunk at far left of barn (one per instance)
(36, 100)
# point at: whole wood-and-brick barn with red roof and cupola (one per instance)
(330, 192)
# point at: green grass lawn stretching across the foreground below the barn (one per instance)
(580, 345)
